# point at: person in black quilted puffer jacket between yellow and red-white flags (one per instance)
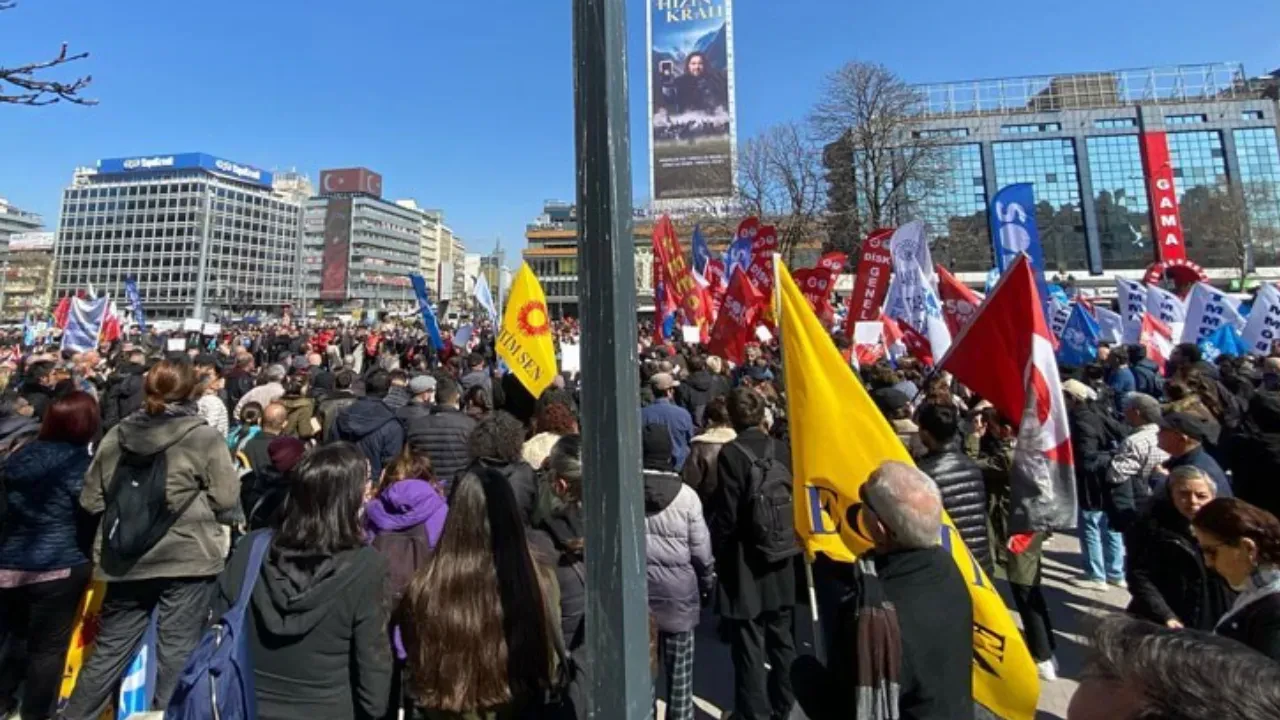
(959, 479)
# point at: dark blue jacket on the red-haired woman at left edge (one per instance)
(43, 482)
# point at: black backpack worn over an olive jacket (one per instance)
(138, 508)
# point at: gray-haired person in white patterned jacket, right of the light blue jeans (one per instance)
(1137, 463)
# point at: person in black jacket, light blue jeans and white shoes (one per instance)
(1095, 436)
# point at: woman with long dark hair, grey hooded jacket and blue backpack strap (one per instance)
(318, 635)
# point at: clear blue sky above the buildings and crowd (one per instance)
(469, 106)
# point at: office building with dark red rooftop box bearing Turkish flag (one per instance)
(359, 249)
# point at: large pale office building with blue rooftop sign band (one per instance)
(205, 238)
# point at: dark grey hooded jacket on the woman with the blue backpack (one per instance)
(317, 632)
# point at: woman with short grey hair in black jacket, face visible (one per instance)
(1168, 577)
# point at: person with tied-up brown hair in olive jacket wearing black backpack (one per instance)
(162, 563)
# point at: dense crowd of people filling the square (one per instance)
(424, 531)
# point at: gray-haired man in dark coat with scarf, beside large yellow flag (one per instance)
(907, 628)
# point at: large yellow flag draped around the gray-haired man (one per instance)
(838, 439)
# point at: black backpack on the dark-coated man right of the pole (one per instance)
(770, 508)
